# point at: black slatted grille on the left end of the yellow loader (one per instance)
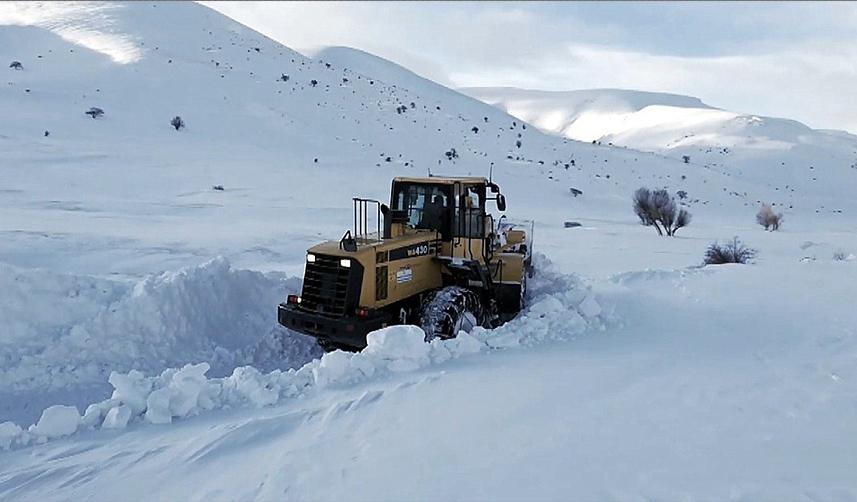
(325, 286)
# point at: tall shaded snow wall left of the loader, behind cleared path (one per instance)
(62, 331)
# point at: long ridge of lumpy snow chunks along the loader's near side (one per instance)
(561, 308)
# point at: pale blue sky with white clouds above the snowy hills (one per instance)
(796, 59)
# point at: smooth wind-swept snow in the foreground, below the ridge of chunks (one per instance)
(703, 405)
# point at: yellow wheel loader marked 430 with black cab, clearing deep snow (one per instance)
(436, 258)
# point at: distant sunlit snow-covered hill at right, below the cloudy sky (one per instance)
(762, 149)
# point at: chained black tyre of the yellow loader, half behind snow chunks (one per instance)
(450, 310)
